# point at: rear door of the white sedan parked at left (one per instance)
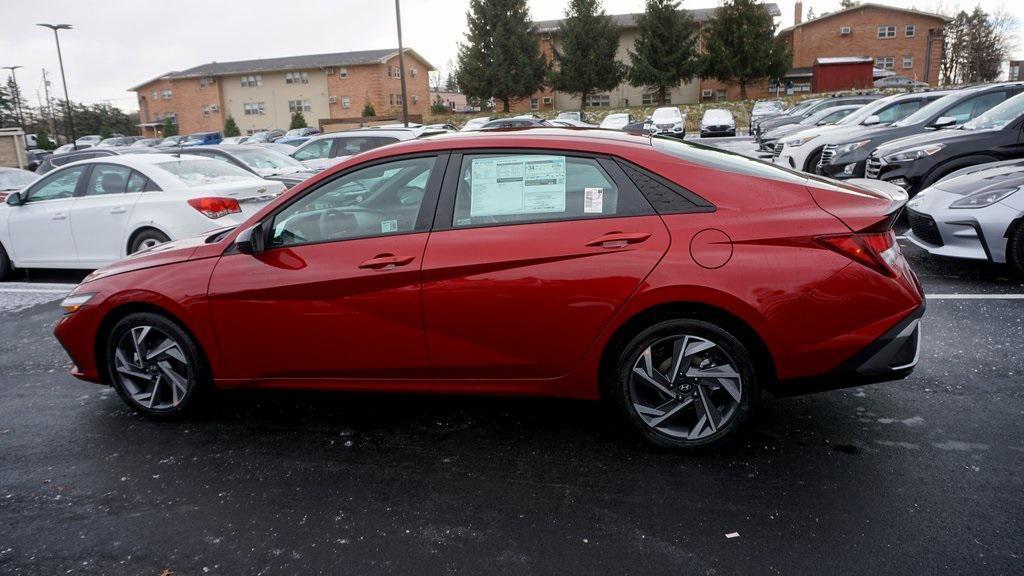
(102, 213)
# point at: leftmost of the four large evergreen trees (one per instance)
(500, 59)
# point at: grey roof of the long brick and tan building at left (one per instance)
(287, 63)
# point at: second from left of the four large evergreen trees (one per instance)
(586, 62)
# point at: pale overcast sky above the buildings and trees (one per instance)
(117, 45)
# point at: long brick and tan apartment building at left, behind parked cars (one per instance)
(263, 95)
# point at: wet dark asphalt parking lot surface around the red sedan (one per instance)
(917, 477)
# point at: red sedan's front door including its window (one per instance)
(336, 295)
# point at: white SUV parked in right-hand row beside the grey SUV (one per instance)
(803, 150)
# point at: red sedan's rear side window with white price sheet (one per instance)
(535, 188)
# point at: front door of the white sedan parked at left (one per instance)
(40, 229)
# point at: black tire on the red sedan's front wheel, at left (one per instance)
(193, 368)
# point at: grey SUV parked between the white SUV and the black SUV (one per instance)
(956, 109)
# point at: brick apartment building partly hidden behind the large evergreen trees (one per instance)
(901, 42)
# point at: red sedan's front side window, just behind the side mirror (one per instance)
(378, 200)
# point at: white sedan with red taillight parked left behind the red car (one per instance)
(93, 213)
